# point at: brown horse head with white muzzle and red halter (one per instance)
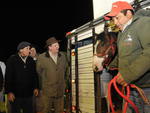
(105, 49)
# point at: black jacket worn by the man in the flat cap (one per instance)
(21, 78)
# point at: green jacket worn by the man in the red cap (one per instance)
(133, 57)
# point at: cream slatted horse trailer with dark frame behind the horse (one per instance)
(87, 87)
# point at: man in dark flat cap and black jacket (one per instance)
(21, 80)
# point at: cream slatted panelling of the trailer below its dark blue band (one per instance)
(85, 80)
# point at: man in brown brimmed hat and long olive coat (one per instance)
(51, 67)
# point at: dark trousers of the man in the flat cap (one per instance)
(22, 105)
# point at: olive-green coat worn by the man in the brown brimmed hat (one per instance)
(52, 75)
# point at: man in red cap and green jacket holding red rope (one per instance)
(133, 59)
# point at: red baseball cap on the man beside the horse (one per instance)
(117, 7)
